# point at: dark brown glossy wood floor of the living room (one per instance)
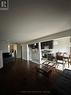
(22, 77)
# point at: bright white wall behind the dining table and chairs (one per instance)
(61, 45)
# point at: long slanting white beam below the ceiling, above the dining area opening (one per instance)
(51, 37)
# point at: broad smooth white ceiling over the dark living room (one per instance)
(31, 19)
